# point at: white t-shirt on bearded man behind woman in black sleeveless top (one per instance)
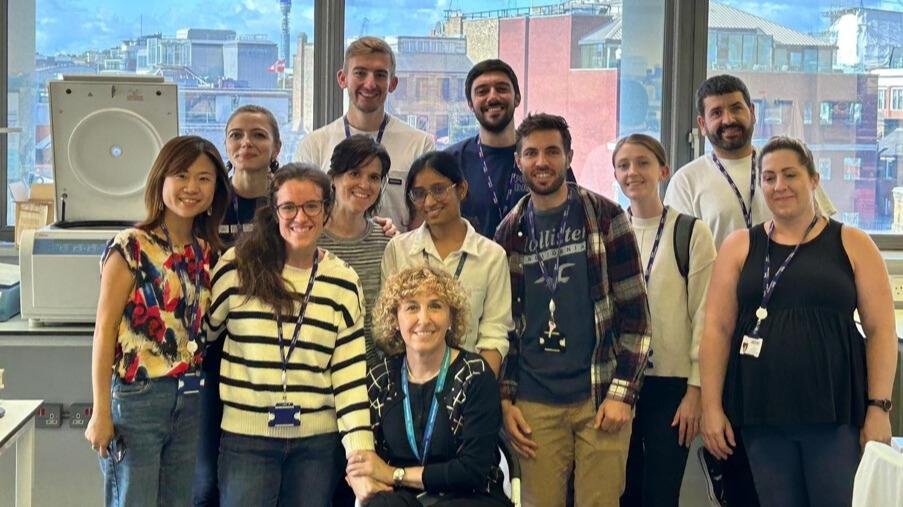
(699, 189)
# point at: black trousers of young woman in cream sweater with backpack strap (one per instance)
(656, 462)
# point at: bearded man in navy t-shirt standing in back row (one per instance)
(487, 159)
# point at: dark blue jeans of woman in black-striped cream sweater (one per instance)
(263, 471)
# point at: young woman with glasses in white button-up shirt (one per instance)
(435, 188)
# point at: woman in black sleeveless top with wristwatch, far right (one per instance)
(782, 360)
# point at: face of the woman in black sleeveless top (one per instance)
(786, 184)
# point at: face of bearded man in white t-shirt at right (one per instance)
(728, 121)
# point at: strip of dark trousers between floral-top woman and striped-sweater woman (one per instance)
(205, 491)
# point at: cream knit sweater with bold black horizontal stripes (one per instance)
(326, 371)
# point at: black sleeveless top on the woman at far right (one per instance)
(812, 366)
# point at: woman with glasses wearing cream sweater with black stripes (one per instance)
(293, 360)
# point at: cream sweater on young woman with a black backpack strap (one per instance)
(678, 310)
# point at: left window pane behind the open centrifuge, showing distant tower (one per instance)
(221, 54)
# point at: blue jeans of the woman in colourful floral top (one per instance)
(159, 430)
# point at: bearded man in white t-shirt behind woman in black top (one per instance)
(721, 187)
